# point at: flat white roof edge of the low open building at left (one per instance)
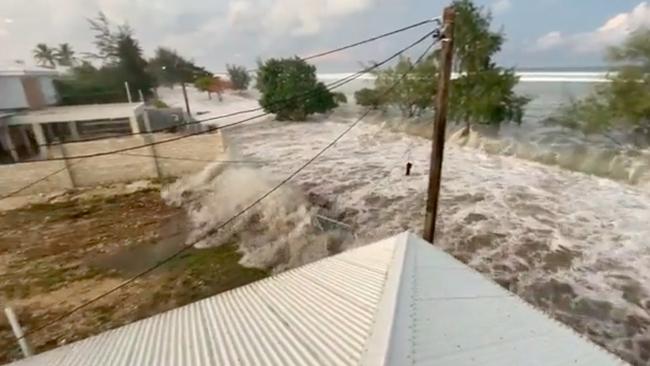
(92, 112)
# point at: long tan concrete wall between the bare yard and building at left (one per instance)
(164, 160)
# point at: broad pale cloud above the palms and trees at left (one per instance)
(209, 31)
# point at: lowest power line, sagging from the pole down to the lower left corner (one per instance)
(239, 214)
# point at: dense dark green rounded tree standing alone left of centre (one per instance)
(290, 89)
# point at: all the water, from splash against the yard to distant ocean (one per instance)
(571, 241)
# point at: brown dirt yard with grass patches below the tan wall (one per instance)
(55, 256)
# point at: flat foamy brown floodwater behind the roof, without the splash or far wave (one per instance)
(572, 244)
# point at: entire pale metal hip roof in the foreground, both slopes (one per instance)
(399, 301)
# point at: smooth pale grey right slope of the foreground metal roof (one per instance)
(448, 314)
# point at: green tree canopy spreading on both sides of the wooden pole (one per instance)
(481, 93)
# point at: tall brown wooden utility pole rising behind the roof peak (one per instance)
(438, 147)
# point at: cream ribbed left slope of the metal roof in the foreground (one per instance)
(319, 314)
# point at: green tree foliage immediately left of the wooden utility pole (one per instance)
(412, 94)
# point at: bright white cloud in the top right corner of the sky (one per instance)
(612, 32)
